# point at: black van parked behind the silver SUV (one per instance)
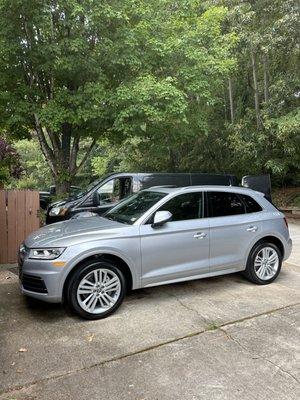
(105, 193)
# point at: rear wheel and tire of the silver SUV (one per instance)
(263, 272)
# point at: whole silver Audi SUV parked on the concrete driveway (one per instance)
(157, 236)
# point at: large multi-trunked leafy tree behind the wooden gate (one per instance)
(77, 69)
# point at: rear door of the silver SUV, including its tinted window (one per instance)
(233, 225)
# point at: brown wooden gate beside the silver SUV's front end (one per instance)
(18, 217)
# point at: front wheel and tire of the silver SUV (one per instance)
(106, 299)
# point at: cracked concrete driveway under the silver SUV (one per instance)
(218, 338)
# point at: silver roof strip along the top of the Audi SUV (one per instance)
(219, 188)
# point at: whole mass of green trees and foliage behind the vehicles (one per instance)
(149, 80)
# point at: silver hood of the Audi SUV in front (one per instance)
(76, 231)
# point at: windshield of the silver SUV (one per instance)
(132, 208)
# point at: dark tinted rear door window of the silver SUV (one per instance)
(225, 203)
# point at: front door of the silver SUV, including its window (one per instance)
(180, 248)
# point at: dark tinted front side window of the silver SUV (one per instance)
(184, 206)
